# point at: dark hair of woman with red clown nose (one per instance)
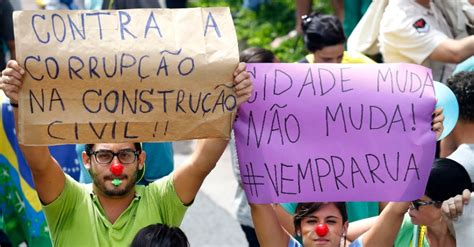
(305, 209)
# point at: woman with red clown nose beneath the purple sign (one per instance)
(317, 224)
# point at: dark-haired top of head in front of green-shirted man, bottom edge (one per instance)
(160, 235)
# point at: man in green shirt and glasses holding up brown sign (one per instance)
(114, 209)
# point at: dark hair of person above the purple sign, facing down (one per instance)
(321, 30)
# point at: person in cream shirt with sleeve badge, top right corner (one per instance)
(415, 31)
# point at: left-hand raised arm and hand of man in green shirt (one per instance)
(47, 174)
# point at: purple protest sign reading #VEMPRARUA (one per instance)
(336, 132)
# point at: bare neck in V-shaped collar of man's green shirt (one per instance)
(115, 206)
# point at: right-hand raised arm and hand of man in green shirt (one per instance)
(189, 177)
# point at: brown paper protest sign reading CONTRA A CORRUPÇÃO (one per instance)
(125, 75)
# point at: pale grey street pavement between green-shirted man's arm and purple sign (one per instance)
(209, 221)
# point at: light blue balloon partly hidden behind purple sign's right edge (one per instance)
(447, 100)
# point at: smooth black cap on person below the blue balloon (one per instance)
(447, 179)
